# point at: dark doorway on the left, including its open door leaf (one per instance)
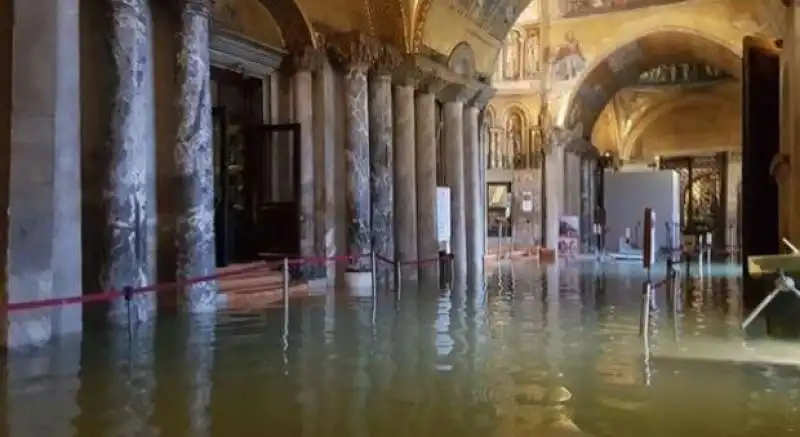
(256, 168)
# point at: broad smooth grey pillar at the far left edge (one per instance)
(41, 155)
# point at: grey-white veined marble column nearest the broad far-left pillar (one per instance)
(129, 195)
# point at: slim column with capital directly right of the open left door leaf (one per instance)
(303, 61)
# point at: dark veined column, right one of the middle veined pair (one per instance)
(381, 139)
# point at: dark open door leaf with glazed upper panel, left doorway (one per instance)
(272, 186)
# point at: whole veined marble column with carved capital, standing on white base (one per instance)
(354, 54)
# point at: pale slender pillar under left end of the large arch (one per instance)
(554, 193)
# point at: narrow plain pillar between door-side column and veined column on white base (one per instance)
(324, 133)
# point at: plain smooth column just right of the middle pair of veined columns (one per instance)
(405, 177)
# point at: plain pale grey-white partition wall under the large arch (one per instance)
(628, 193)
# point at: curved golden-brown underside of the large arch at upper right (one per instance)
(622, 65)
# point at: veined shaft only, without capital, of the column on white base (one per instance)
(357, 169)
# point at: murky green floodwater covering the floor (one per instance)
(542, 352)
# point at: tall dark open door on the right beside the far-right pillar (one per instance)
(760, 143)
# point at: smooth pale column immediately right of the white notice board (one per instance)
(454, 152)
